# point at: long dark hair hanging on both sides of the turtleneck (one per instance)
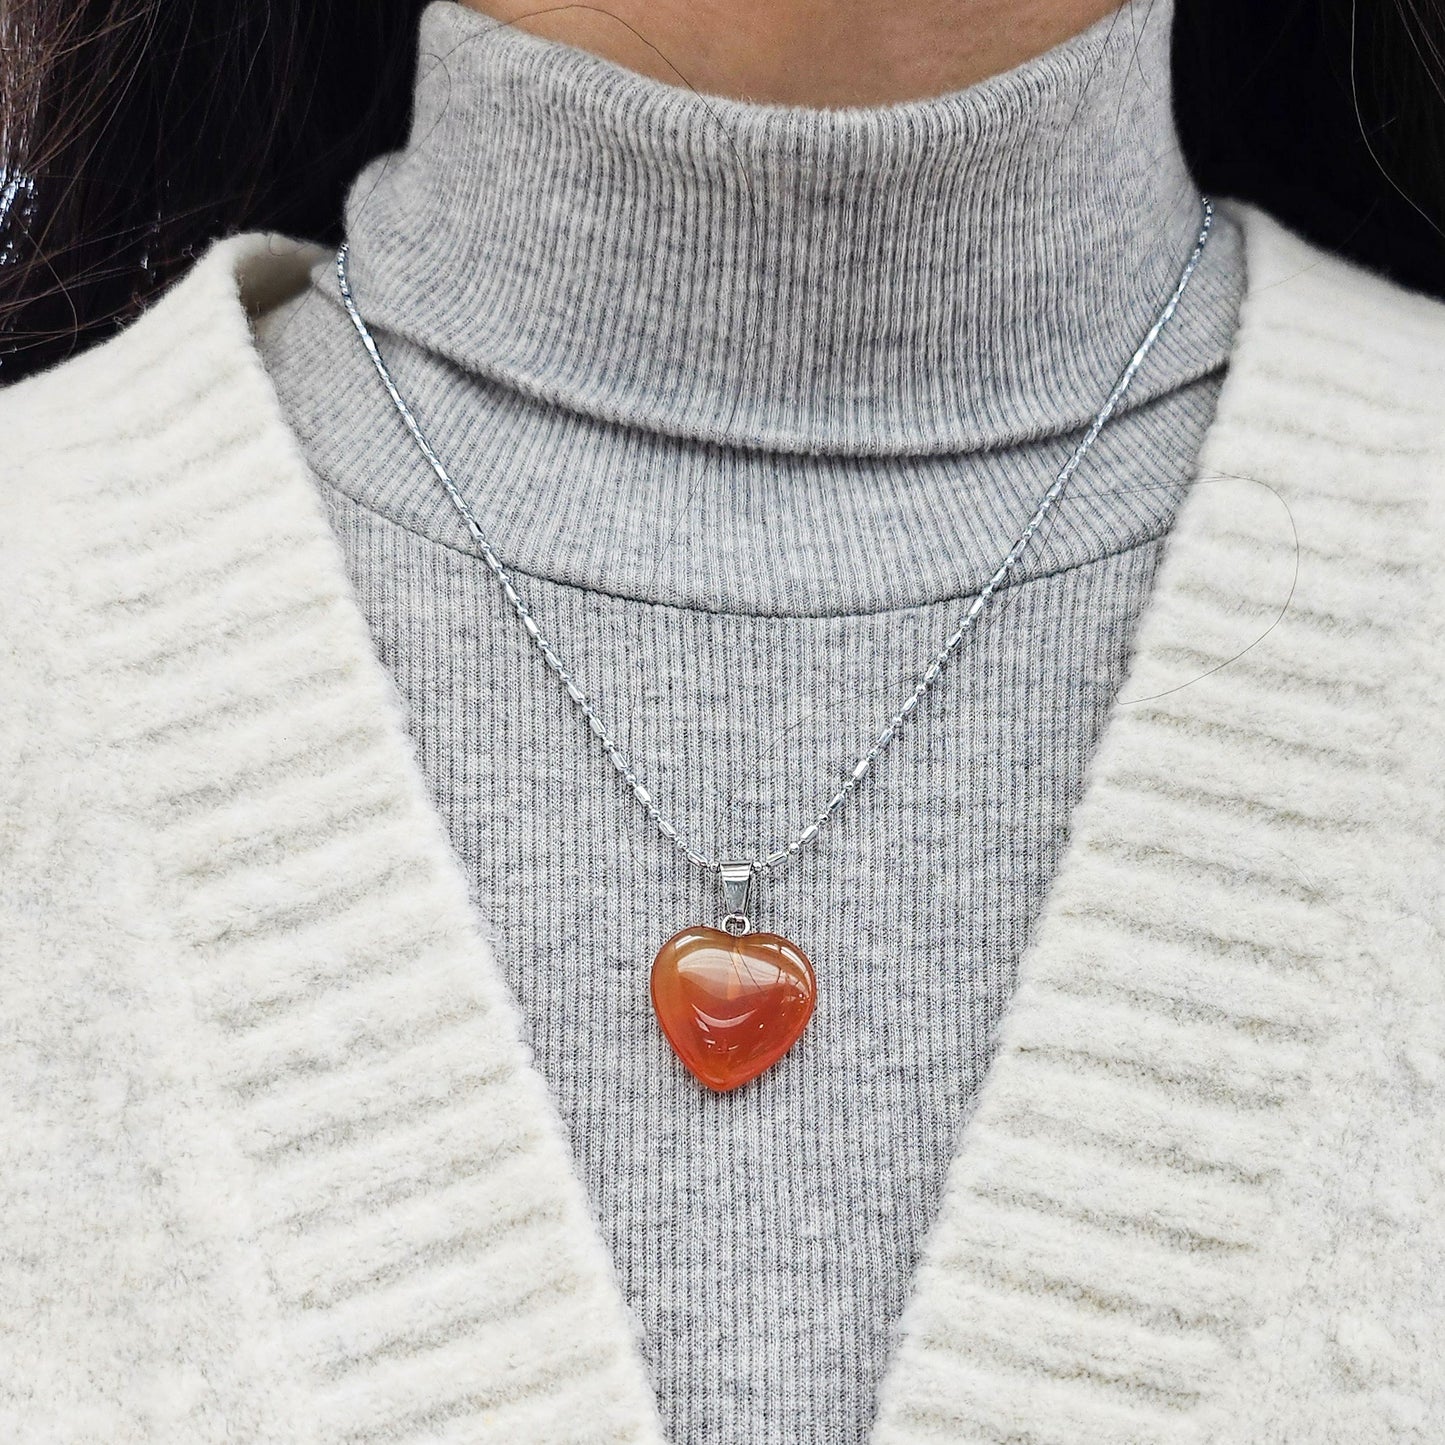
(134, 132)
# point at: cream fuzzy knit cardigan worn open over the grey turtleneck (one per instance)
(275, 1165)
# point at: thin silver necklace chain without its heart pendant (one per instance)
(927, 678)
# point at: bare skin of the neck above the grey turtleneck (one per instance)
(806, 53)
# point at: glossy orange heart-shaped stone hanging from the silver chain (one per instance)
(732, 1005)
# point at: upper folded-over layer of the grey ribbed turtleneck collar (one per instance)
(931, 277)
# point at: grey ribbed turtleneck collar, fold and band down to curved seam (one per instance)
(767, 359)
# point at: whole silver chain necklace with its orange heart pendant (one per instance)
(733, 1002)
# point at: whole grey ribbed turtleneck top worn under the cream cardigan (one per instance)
(754, 398)
